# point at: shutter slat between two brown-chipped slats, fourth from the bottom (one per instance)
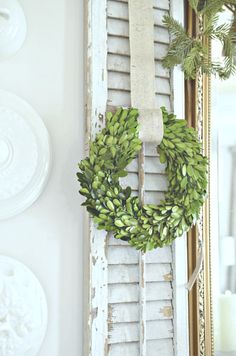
(125, 293)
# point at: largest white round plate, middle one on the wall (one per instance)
(24, 155)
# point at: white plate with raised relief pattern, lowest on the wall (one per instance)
(23, 310)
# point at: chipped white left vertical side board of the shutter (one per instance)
(96, 330)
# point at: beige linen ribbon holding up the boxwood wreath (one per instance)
(142, 70)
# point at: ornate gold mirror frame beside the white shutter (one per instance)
(197, 112)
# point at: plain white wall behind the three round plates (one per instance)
(48, 237)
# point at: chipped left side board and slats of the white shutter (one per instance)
(112, 317)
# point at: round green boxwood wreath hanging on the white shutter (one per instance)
(115, 210)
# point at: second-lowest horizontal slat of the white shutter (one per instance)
(159, 329)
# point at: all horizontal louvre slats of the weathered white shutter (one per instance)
(123, 261)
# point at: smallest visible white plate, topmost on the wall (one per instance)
(13, 27)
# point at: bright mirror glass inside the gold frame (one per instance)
(223, 205)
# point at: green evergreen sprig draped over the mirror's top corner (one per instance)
(191, 52)
